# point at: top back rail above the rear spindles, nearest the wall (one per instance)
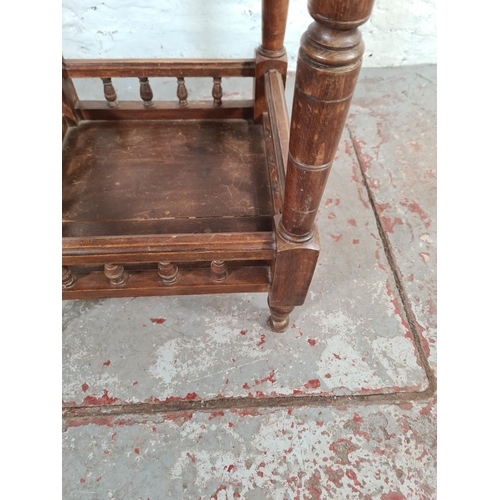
(114, 68)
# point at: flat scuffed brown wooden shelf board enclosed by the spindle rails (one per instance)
(153, 170)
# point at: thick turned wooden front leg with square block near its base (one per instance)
(328, 65)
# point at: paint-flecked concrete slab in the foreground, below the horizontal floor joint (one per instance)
(375, 452)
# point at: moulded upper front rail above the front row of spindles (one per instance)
(168, 248)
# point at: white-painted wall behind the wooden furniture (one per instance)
(400, 32)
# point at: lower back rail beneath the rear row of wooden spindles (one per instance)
(166, 110)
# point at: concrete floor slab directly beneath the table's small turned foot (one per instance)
(351, 336)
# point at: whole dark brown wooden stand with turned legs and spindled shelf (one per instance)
(197, 197)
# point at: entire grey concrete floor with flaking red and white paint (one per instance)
(193, 397)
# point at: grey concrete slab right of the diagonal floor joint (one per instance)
(393, 126)
